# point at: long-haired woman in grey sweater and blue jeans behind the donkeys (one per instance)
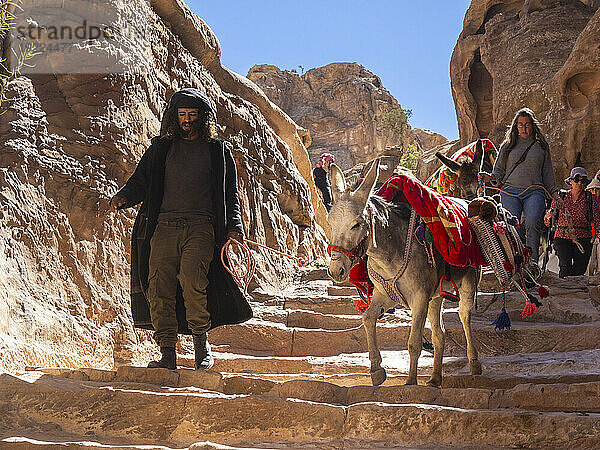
(525, 173)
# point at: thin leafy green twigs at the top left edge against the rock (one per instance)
(7, 21)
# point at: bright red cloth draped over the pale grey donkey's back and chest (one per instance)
(445, 217)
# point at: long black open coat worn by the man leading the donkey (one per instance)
(226, 303)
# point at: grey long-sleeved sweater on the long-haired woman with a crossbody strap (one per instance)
(536, 169)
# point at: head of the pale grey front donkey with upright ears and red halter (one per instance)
(350, 221)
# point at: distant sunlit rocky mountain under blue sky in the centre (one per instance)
(339, 104)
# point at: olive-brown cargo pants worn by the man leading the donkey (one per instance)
(180, 249)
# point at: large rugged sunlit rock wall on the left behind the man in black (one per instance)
(69, 140)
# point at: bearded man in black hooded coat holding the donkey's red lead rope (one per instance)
(187, 184)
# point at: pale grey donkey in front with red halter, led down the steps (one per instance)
(364, 224)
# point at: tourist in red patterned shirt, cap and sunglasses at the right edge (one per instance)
(572, 239)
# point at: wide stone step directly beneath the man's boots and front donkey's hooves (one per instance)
(259, 383)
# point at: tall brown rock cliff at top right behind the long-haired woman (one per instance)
(537, 53)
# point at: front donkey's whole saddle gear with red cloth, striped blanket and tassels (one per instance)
(479, 233)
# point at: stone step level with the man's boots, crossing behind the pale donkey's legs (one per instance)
(265, 339)
